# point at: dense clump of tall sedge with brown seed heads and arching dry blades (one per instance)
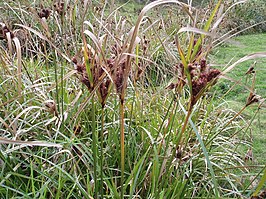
(108, 108)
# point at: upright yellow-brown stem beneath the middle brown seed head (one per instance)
(122, 144)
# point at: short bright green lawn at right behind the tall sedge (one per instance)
(232, 51)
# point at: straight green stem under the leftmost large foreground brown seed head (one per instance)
(94, 146)
